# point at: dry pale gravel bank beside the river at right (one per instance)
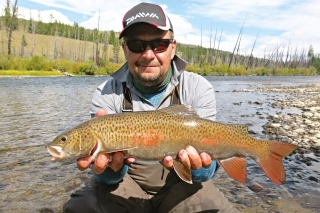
(302, 129)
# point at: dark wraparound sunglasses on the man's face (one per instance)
(157, 45)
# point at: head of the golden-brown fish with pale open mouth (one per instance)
(76, 143)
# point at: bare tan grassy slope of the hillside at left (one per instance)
(53, 47)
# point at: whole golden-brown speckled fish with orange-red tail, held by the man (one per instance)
(151, 135)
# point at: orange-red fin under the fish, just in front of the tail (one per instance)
(236, 168)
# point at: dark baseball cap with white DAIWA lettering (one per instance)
(148, 13)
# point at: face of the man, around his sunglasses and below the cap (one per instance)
(149, 67)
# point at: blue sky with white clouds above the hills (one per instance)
(274, 24)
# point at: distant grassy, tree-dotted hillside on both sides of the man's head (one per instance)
(77, 44)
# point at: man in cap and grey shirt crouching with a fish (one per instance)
(152, 78)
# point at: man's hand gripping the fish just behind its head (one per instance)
(113, 160)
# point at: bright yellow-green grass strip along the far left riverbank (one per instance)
(10, 73)
